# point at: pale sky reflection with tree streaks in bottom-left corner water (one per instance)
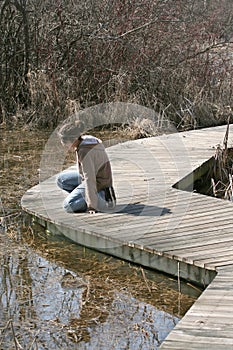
(35, 308)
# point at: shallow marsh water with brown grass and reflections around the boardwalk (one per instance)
(55, 294)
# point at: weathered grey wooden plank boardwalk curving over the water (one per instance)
(154, 224)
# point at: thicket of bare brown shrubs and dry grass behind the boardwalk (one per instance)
(173, 56)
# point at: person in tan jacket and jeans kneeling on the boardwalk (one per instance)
(90, 187)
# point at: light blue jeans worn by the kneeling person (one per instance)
(71, 182)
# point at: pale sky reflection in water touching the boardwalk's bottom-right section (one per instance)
(131, 324)
